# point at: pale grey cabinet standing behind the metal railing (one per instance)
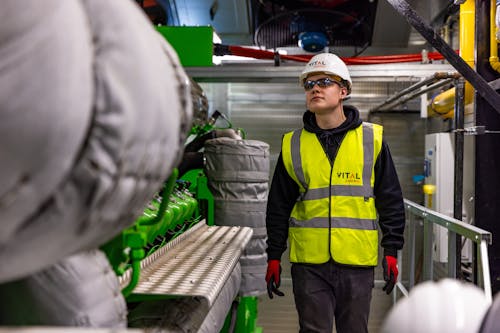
(439, 173)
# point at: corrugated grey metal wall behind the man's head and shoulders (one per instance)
(267, 110)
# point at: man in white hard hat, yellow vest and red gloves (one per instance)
(334, 184)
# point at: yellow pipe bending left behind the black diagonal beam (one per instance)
(443, 104)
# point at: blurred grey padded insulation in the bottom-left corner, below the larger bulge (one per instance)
(79, 291)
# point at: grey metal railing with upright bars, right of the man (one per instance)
(479, 238)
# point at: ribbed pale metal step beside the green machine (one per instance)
(197, 263)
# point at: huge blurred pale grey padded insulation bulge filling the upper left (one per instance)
(95, 109)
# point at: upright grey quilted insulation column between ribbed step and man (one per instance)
(238, 177)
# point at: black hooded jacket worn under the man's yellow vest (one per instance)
(284, 190)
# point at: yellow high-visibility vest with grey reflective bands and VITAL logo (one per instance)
(335, 215)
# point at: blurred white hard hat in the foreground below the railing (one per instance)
(449, 306)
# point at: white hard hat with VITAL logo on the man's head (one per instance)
(327, 63)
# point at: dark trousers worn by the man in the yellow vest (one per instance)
(327, 292)
